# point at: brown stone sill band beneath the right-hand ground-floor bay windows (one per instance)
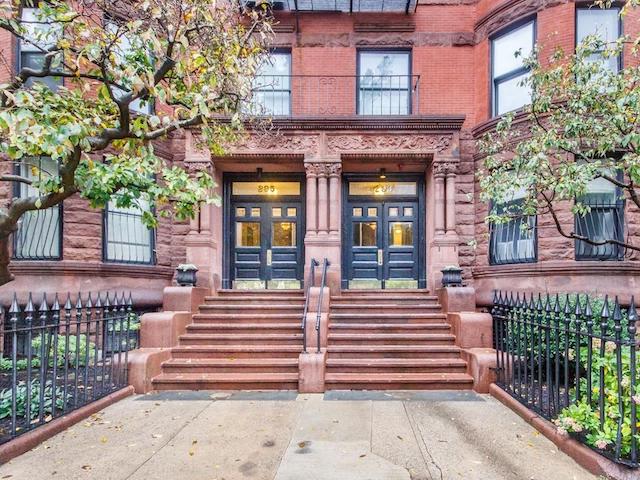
(568, 267)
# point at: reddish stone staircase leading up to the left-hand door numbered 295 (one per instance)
(239, 340)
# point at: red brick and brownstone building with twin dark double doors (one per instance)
(376, 107)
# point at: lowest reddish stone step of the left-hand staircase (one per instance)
(226, 381)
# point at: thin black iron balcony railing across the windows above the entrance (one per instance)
(336, 95)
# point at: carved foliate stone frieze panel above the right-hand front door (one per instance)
(418, 143)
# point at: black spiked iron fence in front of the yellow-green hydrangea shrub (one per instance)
(573, 359)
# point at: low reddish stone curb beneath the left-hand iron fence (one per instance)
(35, 437)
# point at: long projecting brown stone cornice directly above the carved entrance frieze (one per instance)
(387, 123)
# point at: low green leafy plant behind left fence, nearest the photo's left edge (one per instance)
(34, 400)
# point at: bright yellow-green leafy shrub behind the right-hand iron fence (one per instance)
(583, 417)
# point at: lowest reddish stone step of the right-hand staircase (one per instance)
(398, 381)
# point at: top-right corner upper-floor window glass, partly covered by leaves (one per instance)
(603, 23)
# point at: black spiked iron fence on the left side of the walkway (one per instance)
(57, 357)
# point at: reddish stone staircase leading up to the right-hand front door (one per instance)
(392, 340)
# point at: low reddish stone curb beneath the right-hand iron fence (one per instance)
(583, 455)
